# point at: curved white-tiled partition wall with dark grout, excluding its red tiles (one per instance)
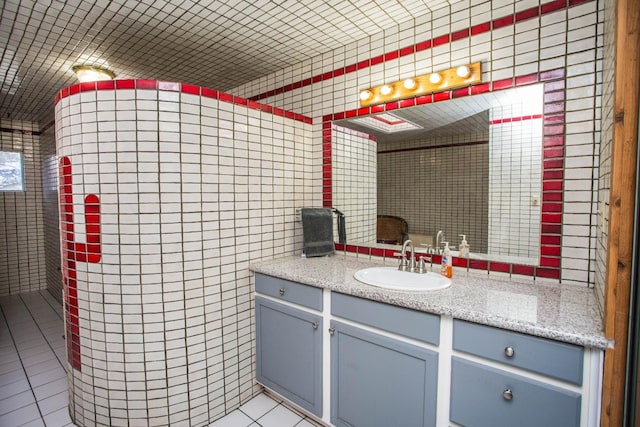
(191, 190)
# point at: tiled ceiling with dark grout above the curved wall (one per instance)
(217, 44)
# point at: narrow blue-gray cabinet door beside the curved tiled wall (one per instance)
(289, 353)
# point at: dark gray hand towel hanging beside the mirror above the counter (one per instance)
(317, 230)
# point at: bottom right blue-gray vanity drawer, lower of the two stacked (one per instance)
(486, 396)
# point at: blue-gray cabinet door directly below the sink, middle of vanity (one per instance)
(378, 381)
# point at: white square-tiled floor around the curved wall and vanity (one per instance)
(33, 383)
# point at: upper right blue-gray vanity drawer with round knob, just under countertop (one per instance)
(552, 358)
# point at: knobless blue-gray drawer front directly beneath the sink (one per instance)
(399, 320)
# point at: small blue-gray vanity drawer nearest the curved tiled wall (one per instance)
(293, 292)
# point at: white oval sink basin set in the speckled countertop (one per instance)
(392, 278)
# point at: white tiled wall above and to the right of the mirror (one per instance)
(566, 39)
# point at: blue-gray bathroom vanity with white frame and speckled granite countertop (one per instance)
(483, 352)
